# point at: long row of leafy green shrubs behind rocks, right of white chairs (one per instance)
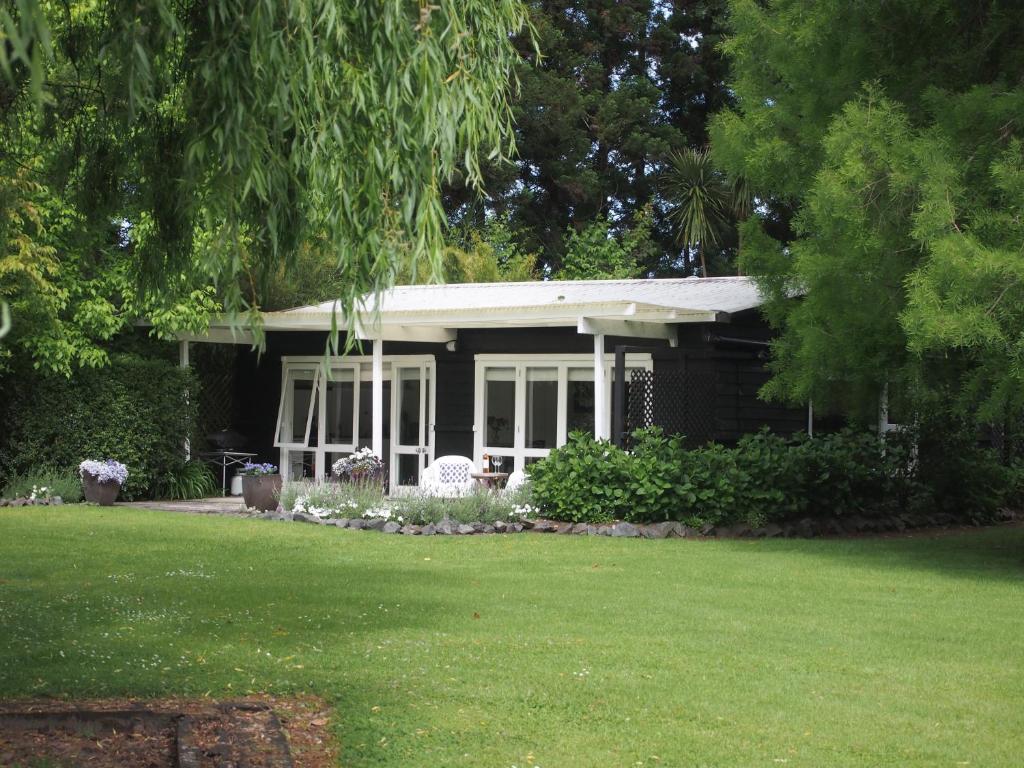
(767, 479)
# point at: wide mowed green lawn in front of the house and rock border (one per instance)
(536, 651)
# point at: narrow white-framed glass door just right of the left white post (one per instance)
(412, 422)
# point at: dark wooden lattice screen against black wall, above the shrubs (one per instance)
(680, 402)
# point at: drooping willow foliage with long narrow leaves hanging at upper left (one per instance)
(203, 143)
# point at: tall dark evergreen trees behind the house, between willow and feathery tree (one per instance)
(620, 87)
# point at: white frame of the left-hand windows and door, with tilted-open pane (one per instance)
(363, 368)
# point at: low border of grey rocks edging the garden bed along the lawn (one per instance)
(807, 528)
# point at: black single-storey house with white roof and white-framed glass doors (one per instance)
(507, 369)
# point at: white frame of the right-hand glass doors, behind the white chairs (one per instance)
(520, 452)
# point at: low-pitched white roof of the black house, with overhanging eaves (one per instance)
(627, 308)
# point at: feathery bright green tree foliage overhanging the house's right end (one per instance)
(895, 130)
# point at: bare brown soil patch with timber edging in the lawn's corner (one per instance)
(251, 733)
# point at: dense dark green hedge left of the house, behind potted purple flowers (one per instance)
(137, 410)
